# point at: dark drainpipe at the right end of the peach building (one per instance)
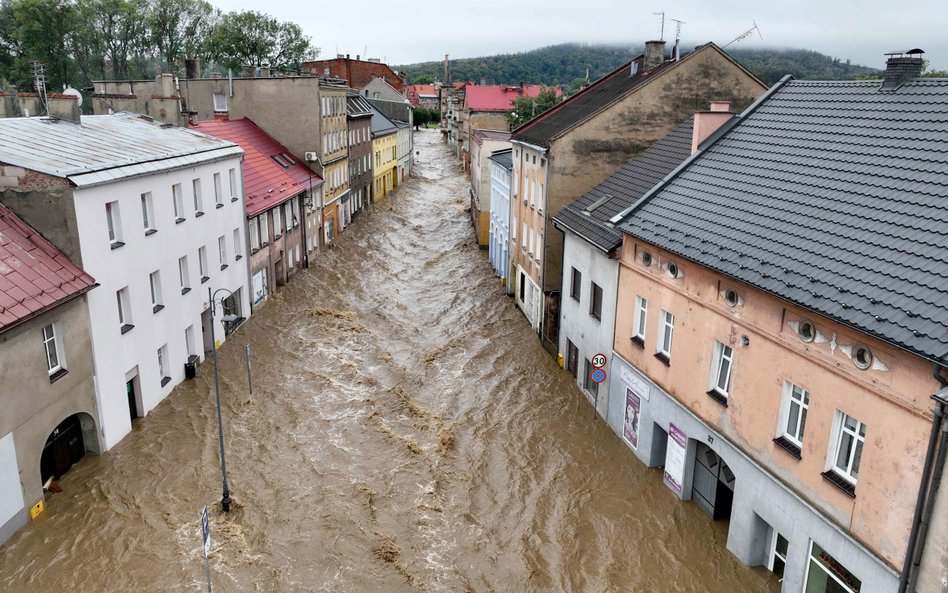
(926, 500)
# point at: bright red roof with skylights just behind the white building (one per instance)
(266, 182)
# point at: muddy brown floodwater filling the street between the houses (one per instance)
(407, 432)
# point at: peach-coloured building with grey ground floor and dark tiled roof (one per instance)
(781, 330)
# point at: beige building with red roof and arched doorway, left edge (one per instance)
(50, 417)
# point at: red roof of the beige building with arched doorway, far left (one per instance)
(34, 275)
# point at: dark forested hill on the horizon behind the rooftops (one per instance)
(565, 64)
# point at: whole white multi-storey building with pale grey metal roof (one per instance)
(156, 215)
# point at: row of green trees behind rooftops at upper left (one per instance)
(79, 41)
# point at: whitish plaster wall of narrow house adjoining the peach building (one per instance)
(590, 335)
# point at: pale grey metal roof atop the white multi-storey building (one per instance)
(105, 148)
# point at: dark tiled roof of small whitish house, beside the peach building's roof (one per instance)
(588, 216)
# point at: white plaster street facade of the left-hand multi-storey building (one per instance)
(115, 353)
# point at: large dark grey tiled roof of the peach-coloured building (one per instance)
(831, 195)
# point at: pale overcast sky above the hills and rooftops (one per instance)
(403, 33)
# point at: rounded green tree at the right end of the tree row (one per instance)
(254, 39)
